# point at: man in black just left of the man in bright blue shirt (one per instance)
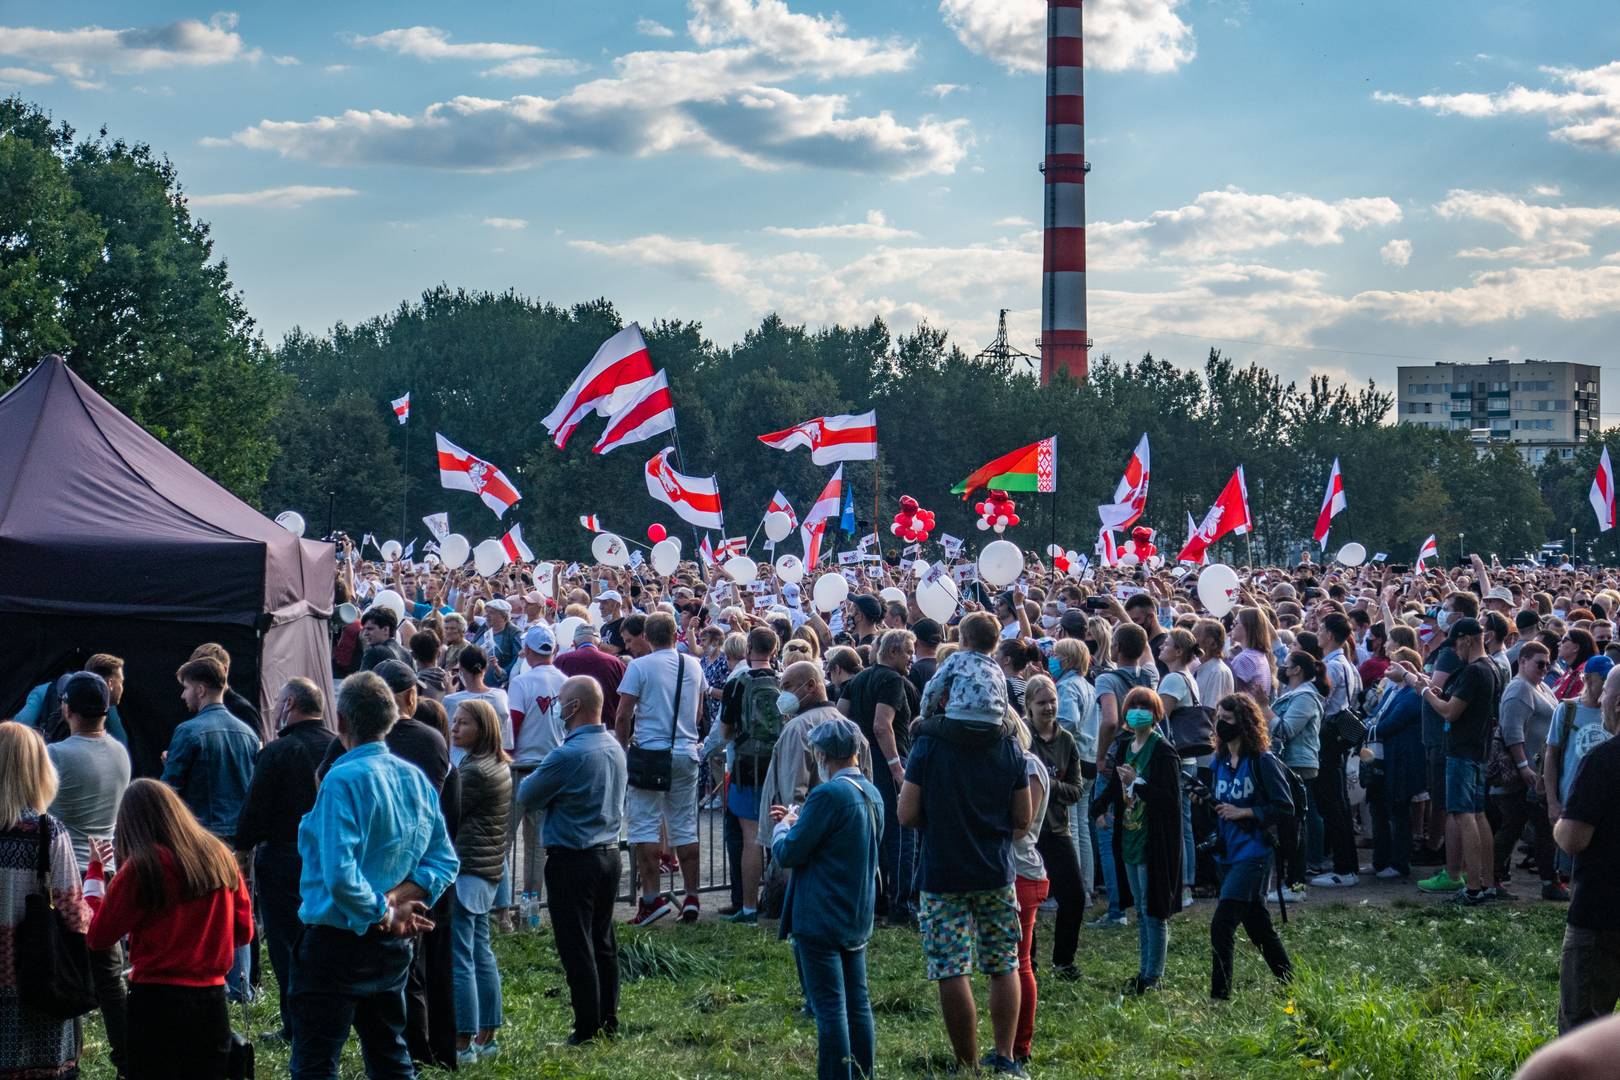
(283, 793)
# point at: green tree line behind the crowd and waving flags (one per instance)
(103, 261)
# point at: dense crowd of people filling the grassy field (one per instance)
(1085, 739)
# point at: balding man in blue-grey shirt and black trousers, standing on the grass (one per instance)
(579, 788)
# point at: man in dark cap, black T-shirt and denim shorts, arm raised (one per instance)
(1469, 710)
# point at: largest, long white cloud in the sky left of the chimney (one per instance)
(720, 103)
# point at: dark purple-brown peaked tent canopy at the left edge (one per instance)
(113, 543)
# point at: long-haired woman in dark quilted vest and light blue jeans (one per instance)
(480, 844)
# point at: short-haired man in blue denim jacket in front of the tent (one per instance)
(210, 759)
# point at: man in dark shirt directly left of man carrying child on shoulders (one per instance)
(879, 702)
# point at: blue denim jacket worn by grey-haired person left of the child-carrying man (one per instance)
(833, 856)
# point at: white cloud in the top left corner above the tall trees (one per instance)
(80, 54)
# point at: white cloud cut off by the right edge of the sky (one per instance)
(1585, 111)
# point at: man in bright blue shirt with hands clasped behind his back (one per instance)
(377, 856)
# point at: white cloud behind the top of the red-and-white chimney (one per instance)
(1120, 35)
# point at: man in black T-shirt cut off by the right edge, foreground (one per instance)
(1590, 831)
